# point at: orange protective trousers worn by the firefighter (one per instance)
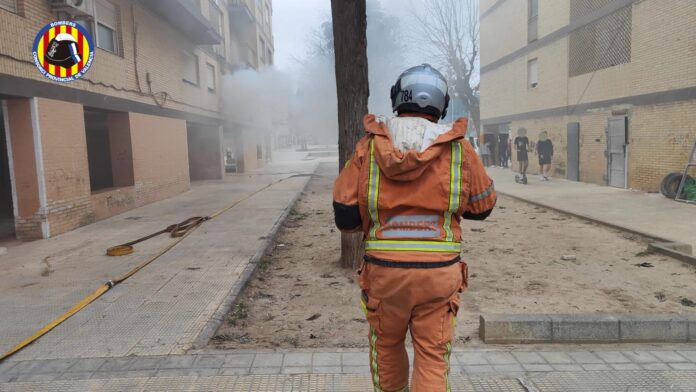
(425, 301)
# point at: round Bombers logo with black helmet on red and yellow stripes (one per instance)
(63, 51)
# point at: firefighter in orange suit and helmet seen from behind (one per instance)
(407, 186)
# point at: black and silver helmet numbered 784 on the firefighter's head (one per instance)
(421, 89)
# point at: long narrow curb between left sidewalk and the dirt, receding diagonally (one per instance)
(218, 317)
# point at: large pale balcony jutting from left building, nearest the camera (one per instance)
(184, 16)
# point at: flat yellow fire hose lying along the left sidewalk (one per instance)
(178, 231)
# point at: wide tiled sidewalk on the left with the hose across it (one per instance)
(164, 308)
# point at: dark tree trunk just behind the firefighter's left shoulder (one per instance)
(349, 20)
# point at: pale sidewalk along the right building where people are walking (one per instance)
(651, 215)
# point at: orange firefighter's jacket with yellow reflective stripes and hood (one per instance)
(409, 203)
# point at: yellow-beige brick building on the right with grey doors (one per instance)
(613, 82)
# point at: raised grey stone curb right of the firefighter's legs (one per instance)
(587, 328)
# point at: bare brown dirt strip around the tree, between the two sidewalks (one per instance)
(523, 259)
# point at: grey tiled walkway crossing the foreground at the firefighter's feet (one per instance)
(644, 368)
